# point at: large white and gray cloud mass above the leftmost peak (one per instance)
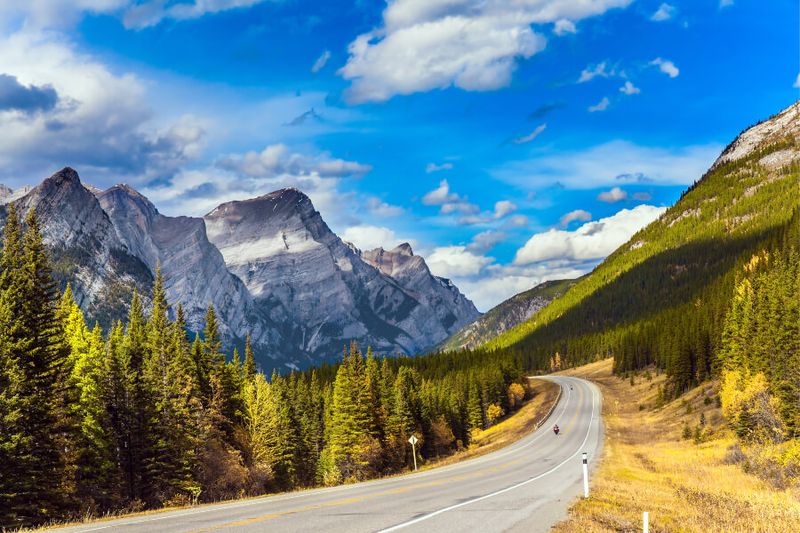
(86, 115)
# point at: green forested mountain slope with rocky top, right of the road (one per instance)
(663, 296)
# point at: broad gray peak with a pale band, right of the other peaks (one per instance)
(318, 288)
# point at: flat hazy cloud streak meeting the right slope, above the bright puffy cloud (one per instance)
(609, 163)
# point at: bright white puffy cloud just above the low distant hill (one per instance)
(591, 241)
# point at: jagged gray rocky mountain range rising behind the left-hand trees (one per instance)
(270, 266)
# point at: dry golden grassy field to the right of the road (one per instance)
(686, 484)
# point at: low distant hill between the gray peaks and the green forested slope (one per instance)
(506, 315)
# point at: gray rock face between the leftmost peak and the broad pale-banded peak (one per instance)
(194, 271)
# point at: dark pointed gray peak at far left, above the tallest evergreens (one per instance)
(86, 251)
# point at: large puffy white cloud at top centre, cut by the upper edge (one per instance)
(470, 44)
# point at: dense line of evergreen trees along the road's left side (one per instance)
(148, 414)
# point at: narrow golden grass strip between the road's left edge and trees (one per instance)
(512, 428)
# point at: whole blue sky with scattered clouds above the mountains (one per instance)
(510, 142)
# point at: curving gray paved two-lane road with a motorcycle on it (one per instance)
(526, 486)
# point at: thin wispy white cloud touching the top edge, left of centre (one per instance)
(145, 14)
